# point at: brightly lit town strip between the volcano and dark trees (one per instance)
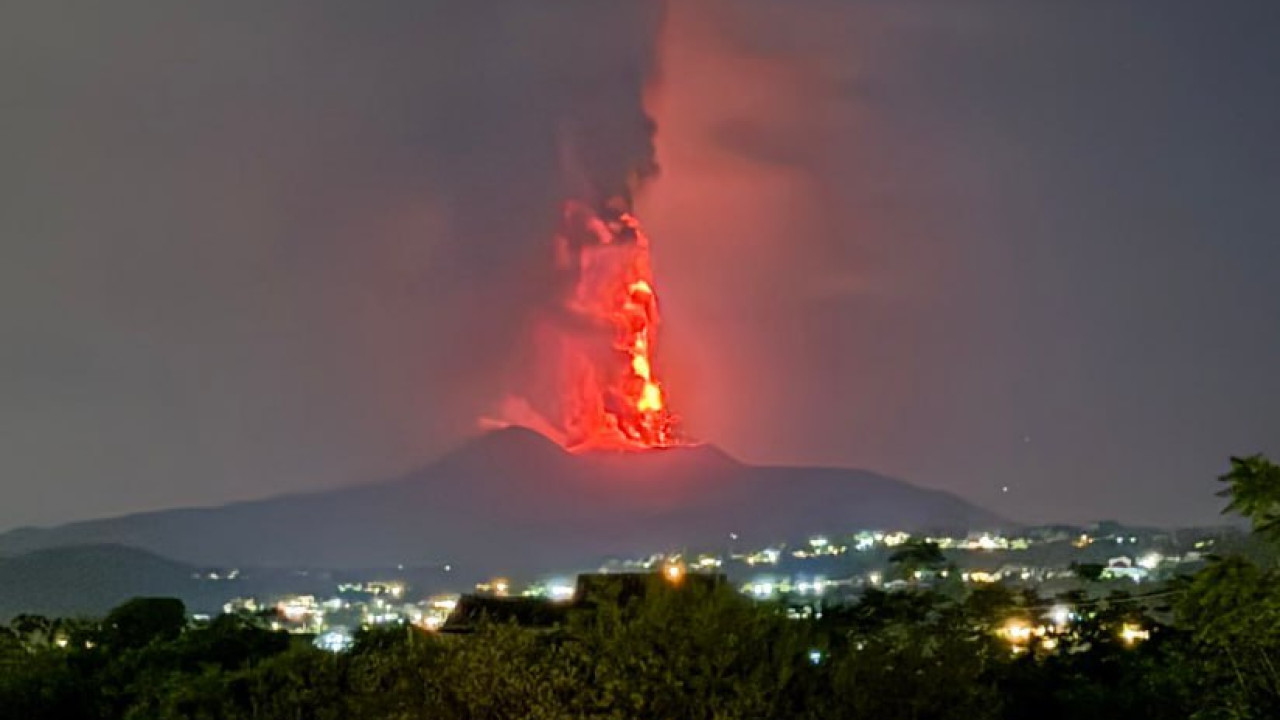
(1077, 563)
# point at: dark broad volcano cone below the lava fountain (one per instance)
(513, 502)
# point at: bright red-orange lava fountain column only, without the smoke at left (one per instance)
(612, 394)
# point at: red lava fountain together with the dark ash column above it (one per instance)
(593, 379)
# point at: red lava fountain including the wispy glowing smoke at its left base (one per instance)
(595, 384)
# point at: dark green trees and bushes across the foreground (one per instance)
(1206, 648)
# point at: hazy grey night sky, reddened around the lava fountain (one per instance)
(287, 247)
